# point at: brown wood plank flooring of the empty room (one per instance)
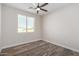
(38, 48)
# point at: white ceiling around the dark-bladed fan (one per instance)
(25, 6)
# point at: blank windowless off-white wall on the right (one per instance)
(61, 27)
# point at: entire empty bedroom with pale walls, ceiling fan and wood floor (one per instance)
(39, 29)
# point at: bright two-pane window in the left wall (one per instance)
(25, 24)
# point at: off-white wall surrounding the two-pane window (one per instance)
(9, 25)
